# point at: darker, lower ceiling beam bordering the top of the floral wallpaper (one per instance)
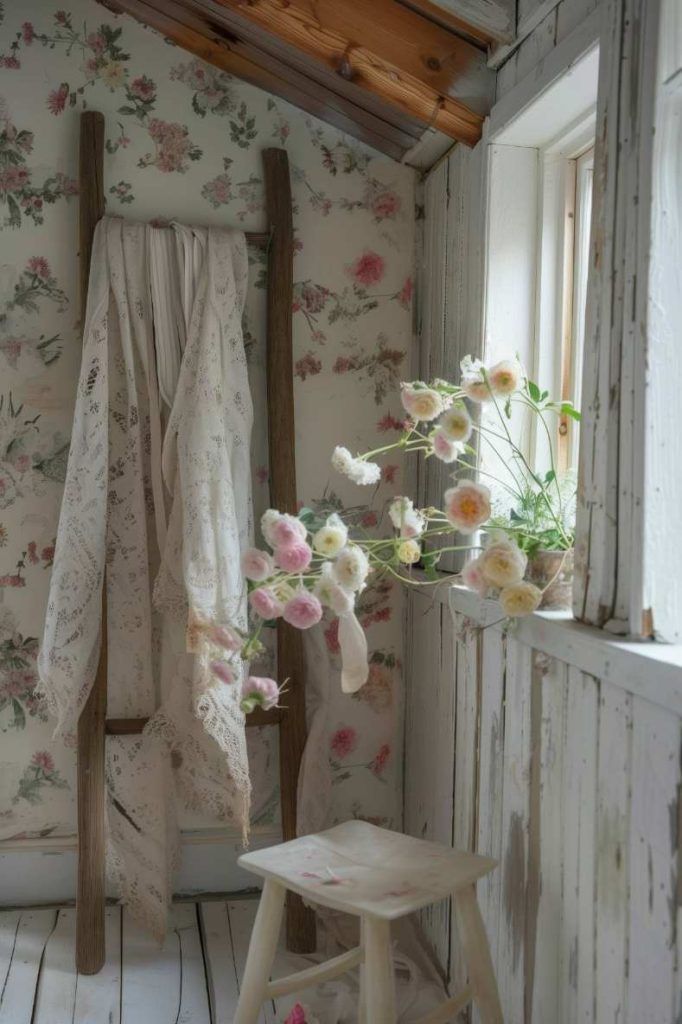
(197, 33)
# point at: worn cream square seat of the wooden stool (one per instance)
(360, 869)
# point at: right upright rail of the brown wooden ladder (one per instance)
(282, 439)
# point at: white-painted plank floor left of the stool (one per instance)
(194, 978)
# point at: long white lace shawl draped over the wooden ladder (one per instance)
(196, 736)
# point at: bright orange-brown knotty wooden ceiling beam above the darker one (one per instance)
(385, 49)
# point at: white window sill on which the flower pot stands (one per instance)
(653, 671)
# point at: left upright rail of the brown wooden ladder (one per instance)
(91, 772)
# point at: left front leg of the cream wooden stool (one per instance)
(262, 953)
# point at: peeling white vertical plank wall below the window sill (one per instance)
(574, 784)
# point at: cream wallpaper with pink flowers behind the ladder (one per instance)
(184, 142)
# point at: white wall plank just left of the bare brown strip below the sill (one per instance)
(510, 965)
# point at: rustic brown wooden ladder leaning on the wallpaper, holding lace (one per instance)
(94, 726)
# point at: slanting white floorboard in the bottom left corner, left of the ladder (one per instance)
(17, 1000)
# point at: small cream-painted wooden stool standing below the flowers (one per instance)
(378, 876)
